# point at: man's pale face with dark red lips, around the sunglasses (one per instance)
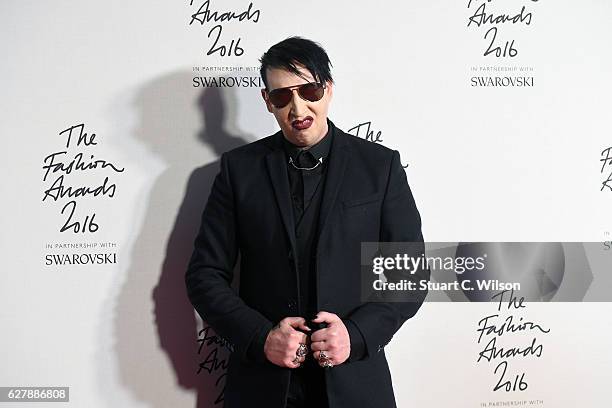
(303, 123)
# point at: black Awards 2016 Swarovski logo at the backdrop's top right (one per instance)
(497, 22)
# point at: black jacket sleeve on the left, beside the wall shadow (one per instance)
(210, 273)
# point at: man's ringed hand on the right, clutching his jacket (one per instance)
(334, 340)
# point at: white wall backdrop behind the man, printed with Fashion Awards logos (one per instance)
(514, 163)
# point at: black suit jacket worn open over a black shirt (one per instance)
(366, 198)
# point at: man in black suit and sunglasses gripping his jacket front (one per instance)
(296, 206)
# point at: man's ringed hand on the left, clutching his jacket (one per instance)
(283, 341)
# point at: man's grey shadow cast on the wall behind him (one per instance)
(163, 105)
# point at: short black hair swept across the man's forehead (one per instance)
(297, 51)
